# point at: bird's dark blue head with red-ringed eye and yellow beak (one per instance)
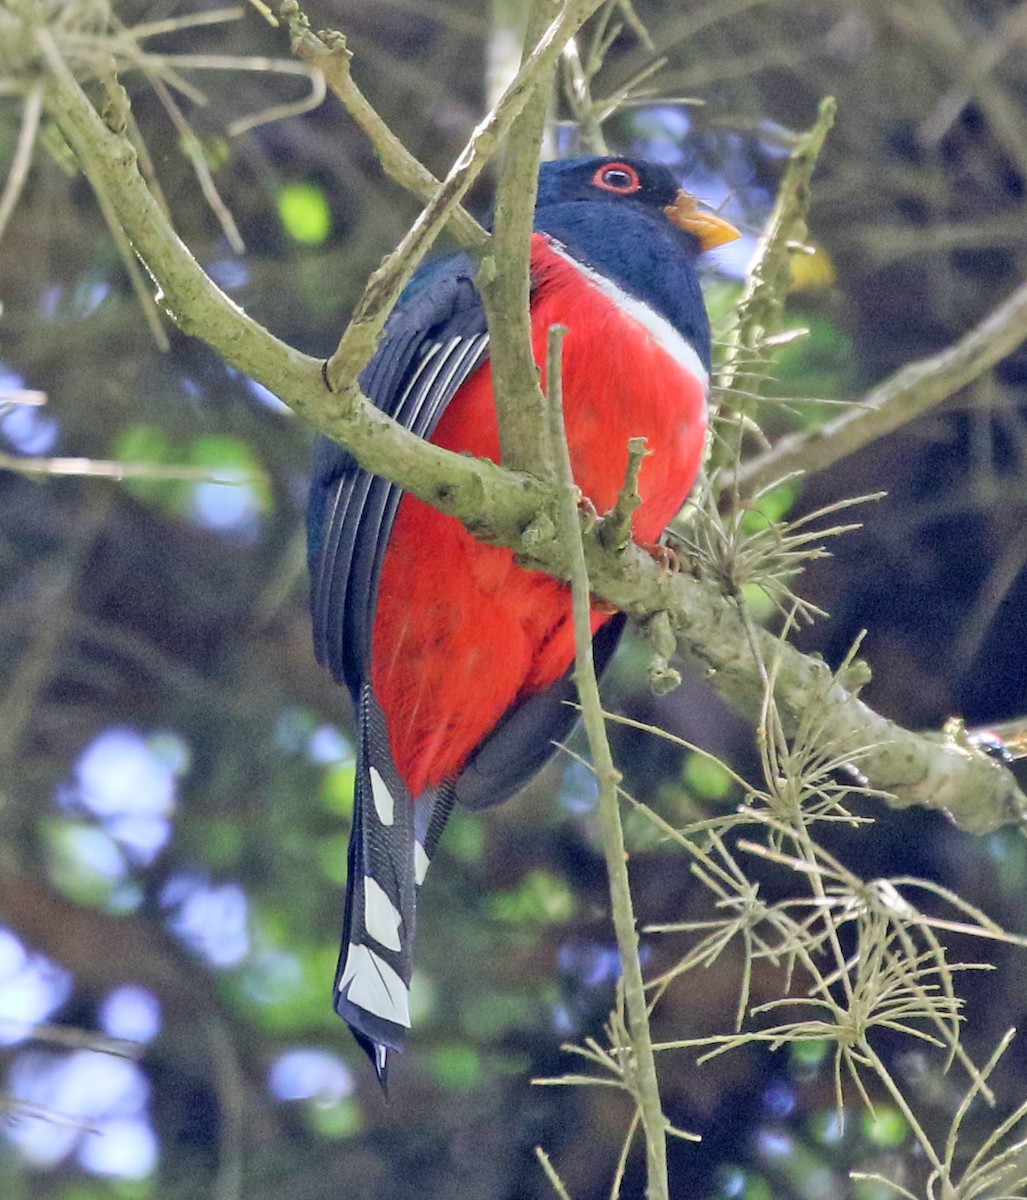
(630, 221)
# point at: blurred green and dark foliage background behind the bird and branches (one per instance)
(171, 610)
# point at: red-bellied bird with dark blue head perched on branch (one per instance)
(459, 661)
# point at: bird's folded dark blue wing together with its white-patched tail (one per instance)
(433, 345)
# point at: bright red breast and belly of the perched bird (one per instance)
(461, 632)
